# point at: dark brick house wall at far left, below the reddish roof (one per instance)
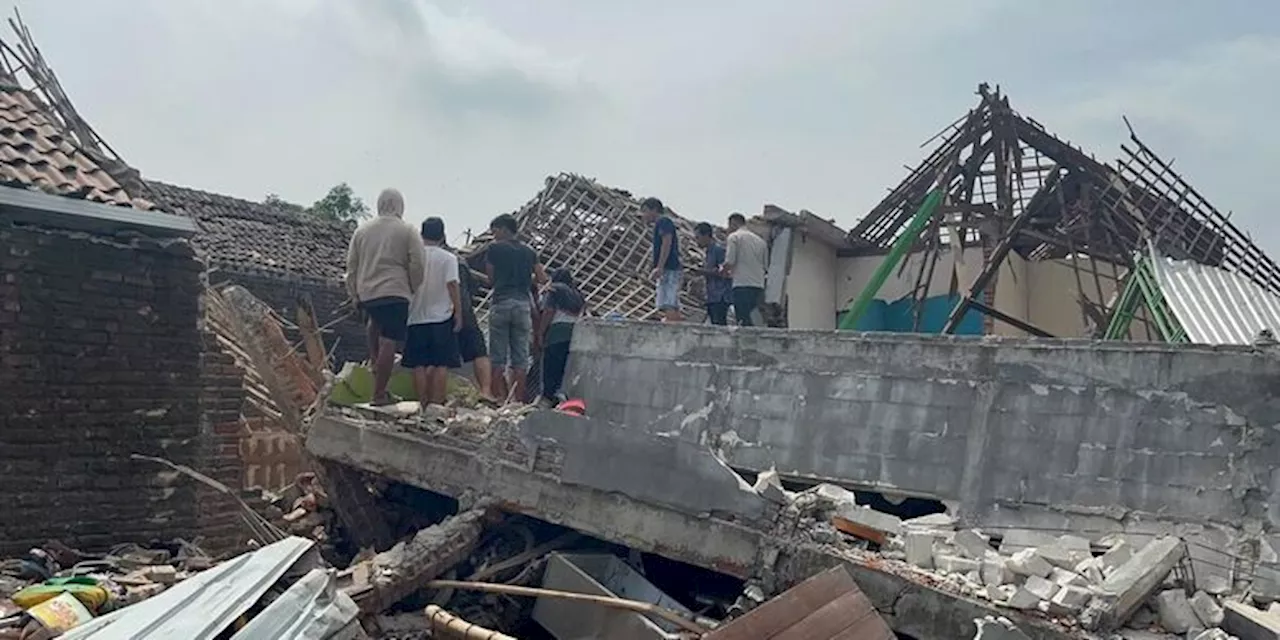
(102, 356)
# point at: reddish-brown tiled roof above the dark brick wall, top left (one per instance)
(36, 156)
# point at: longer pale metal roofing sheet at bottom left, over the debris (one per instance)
(203, 606)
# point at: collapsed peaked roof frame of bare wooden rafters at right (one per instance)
(1013, 188)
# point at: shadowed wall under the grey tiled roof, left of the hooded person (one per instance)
(284, 291)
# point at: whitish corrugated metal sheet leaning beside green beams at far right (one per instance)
(1215, 307)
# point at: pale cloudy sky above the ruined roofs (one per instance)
(469, 106)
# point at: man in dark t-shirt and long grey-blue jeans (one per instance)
(513, 268)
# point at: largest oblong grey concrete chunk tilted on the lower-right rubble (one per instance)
(1132, 584)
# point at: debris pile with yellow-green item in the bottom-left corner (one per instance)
(56, 588)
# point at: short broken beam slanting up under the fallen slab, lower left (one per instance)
(404, 569)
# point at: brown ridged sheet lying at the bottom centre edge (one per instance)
(826, 607)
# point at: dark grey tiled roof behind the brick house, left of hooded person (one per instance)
(252, 236)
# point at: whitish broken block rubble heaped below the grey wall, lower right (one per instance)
(1107, 587)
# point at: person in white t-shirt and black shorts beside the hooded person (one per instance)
(435, 319)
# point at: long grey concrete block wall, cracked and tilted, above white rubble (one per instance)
(1018, 432)
